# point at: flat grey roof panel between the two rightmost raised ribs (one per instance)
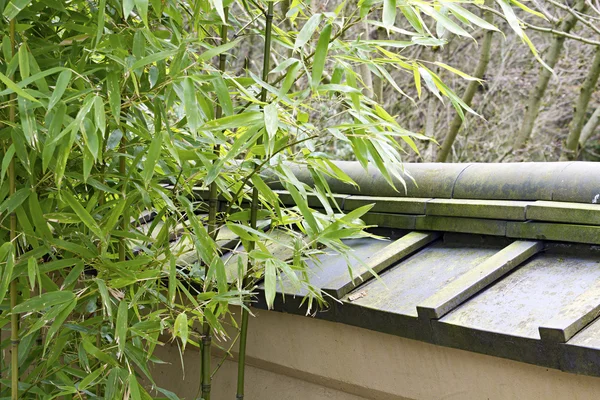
(523, 301)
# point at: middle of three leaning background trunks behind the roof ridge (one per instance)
(537, 93)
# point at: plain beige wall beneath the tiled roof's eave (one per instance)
(297, 358)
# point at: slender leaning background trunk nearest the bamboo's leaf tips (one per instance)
(484, 59)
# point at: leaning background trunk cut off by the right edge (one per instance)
(577, 124)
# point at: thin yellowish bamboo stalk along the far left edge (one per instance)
(14, 318)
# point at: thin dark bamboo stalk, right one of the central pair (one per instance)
(253, 212)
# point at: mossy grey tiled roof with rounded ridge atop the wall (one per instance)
(500, 259)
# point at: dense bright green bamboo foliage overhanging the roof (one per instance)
(116, 122)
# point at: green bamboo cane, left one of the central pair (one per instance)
(213, 204)
